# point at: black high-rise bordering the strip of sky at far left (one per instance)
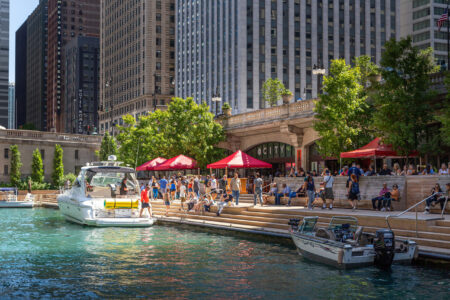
(35, 67)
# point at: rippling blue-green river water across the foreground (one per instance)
(43, 256)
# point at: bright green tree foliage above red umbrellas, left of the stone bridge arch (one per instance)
(184, 128)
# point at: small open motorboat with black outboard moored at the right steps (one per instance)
(343, 244)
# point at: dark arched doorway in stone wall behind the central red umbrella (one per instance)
(280, 155)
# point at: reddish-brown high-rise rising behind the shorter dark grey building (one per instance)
(66, 20)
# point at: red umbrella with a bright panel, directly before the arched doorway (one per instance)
(239, 160)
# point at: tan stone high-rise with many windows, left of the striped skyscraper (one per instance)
(137, 58)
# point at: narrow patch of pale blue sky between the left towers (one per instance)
(19, 10)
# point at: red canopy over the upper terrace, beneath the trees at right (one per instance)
(374, 148)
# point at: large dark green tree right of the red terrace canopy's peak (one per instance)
(402, 100)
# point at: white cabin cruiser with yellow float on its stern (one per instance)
(102, 197)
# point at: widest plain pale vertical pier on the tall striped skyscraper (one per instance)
(242, 55)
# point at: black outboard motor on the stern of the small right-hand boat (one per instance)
(384, 245)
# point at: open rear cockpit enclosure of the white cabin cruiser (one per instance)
(110, 183)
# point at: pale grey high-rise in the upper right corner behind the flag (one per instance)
(418, 18)
